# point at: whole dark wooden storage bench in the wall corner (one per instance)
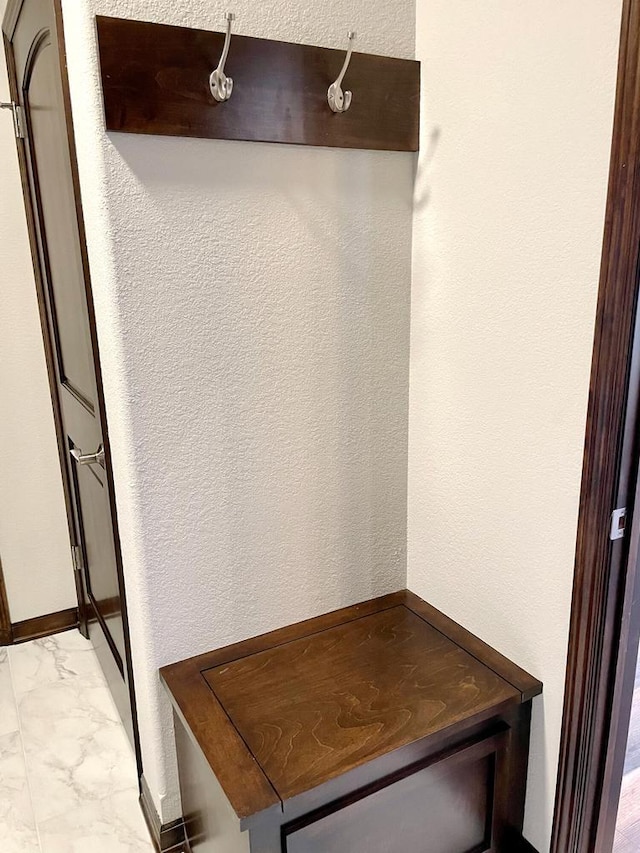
(342, 734)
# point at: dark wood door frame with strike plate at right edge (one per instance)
(603, 639)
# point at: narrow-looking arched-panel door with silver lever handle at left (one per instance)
(33, 30)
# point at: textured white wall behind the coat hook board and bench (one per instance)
(252, 306)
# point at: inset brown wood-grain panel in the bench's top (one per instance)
(316, 707)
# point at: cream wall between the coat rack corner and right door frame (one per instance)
(510, 197)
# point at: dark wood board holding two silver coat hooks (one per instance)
(155, 80)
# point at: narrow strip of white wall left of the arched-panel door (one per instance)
(34, 542)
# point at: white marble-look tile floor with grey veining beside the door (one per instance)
(68, 781)
